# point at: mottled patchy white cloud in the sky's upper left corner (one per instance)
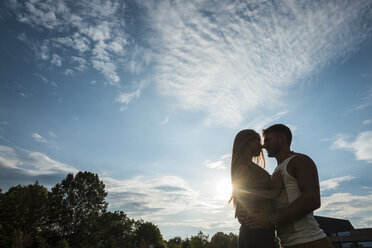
(94, 28)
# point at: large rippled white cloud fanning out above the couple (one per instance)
(229, 60)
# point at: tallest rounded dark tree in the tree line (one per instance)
(75, 206)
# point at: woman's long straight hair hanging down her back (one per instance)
(241, 142)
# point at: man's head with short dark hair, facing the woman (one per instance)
(276, 138)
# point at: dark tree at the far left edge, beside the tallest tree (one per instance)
(23, 216)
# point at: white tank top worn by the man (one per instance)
(302, 230)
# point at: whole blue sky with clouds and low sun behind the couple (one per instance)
(150, 94)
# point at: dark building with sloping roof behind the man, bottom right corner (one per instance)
(343, 234)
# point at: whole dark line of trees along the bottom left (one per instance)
(74, 214)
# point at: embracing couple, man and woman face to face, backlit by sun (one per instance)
(283, 202)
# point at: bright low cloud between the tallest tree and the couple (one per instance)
(157, 198)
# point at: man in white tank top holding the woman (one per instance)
(300, 196)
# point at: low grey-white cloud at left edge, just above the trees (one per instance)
(32, 163)
